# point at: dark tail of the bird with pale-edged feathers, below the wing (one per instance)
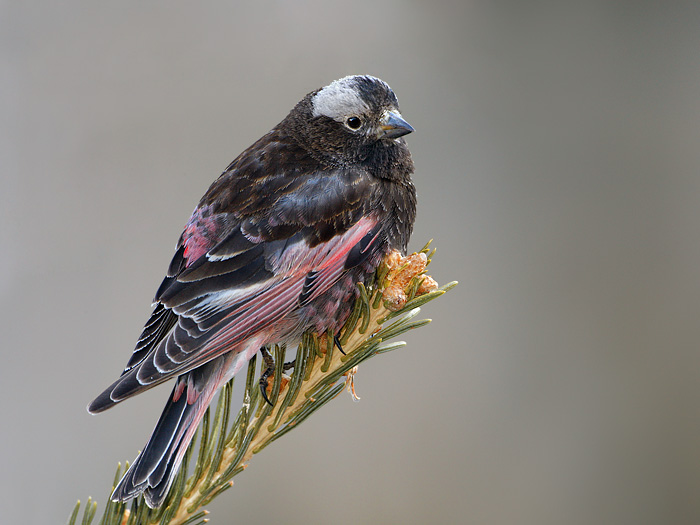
(154, 470)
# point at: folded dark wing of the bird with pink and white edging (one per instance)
(257, 246)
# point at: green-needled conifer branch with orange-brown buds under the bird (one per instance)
(386, 308)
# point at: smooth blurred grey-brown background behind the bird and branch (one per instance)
(557, 161)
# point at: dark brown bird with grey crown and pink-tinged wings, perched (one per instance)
(275, 248)
